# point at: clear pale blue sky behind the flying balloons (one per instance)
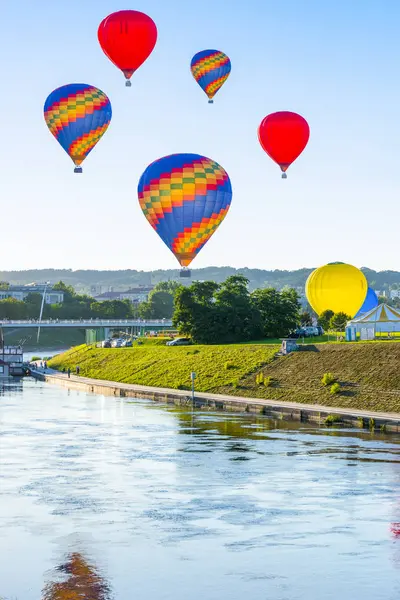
(336, 62)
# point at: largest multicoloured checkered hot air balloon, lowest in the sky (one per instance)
(185, 197)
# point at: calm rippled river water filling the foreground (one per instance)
(128, 499)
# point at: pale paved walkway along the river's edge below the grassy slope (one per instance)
(55, 376)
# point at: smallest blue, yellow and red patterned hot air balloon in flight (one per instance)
(210, 68)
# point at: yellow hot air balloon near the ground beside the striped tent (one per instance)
(338, 287)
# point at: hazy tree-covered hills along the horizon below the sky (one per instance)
(84, 281)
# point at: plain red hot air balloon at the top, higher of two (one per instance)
(127, 38)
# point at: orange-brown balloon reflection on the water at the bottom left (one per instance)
(81, 580)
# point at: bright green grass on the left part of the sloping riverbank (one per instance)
(170, 367)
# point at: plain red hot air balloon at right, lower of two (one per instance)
(283, 136)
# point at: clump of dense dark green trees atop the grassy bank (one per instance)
(220, 313)
